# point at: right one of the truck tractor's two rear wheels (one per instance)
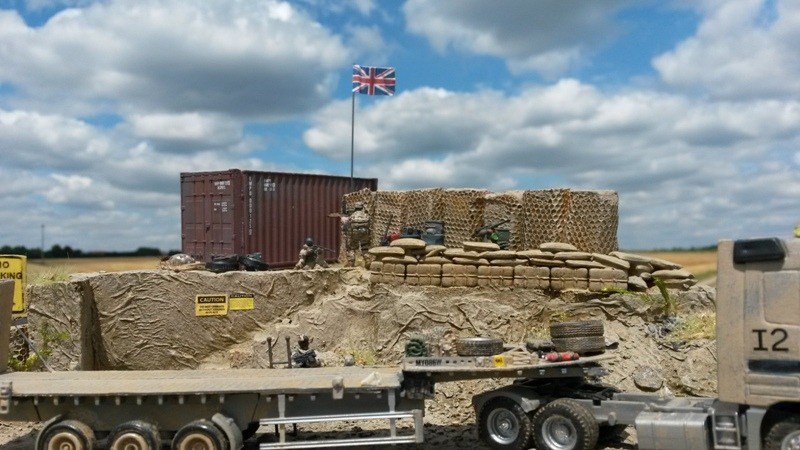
(564, 424)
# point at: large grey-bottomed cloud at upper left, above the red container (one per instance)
(249, 59)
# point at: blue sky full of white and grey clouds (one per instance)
(688, 109)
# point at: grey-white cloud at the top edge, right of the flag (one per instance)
(545, 36)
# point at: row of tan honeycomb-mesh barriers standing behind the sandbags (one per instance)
(585, 219)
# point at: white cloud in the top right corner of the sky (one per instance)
(737, 53)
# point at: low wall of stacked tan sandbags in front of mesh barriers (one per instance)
(551, 266)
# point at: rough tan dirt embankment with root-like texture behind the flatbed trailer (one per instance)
(140, 320)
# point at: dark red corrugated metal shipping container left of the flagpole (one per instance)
(242, 212)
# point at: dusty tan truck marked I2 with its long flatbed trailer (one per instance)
(552, 406)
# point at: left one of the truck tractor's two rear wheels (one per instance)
(503, 424)
